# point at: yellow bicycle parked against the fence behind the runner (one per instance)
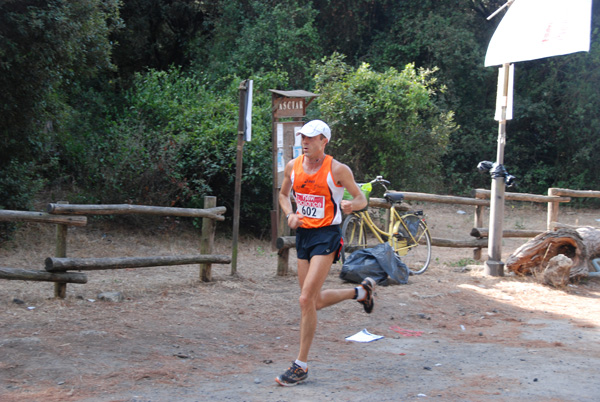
(407, 233)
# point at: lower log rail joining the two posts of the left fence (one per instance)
(55, 264)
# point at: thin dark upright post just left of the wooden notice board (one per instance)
(238, 177)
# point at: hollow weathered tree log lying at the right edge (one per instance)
(581, 245)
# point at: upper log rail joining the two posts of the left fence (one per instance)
(121, 209)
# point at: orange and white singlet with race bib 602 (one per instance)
(317, 195)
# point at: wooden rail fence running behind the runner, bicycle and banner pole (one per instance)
(479, 233)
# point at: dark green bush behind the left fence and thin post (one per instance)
(172, 142)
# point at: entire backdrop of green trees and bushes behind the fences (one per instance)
(136, 101)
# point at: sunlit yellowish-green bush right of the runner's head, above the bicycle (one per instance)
(385, 123)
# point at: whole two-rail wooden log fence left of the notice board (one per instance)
(65, 215)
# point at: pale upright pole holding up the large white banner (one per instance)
(494, 265)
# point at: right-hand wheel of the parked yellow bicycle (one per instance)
(414, 244)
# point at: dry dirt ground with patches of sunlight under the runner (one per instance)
(451, 334)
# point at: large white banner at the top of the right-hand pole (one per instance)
(533, 29)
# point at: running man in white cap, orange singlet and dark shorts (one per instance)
(317, 182)
